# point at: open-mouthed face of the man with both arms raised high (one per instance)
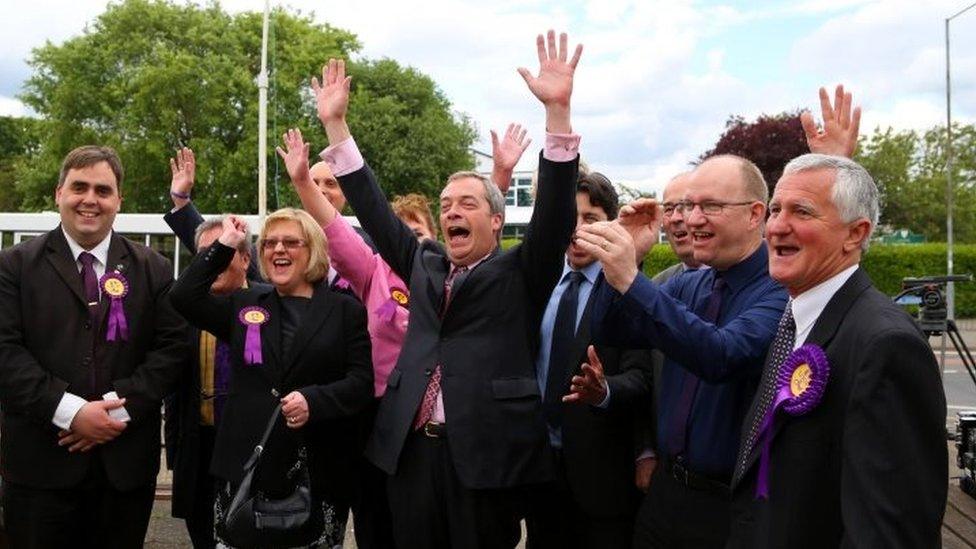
(467, 223)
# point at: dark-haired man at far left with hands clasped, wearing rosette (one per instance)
(84, 366)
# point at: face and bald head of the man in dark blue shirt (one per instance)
(724, 239)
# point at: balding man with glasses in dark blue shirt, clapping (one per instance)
(713, 325)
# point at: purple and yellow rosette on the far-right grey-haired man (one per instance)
(800, 387)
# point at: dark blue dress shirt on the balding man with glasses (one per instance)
(727, 356)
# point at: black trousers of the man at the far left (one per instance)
(92, 514)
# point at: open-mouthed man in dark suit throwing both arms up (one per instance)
(459, 429)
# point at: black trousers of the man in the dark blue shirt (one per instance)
(674, 516)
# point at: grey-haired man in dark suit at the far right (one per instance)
(834, 472)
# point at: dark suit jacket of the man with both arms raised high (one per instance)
(486, 342)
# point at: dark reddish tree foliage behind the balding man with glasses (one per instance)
(769, 142)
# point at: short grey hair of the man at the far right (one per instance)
(855, 194)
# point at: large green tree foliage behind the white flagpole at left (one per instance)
(149, 76)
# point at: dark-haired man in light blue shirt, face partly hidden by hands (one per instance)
(599, 433)
